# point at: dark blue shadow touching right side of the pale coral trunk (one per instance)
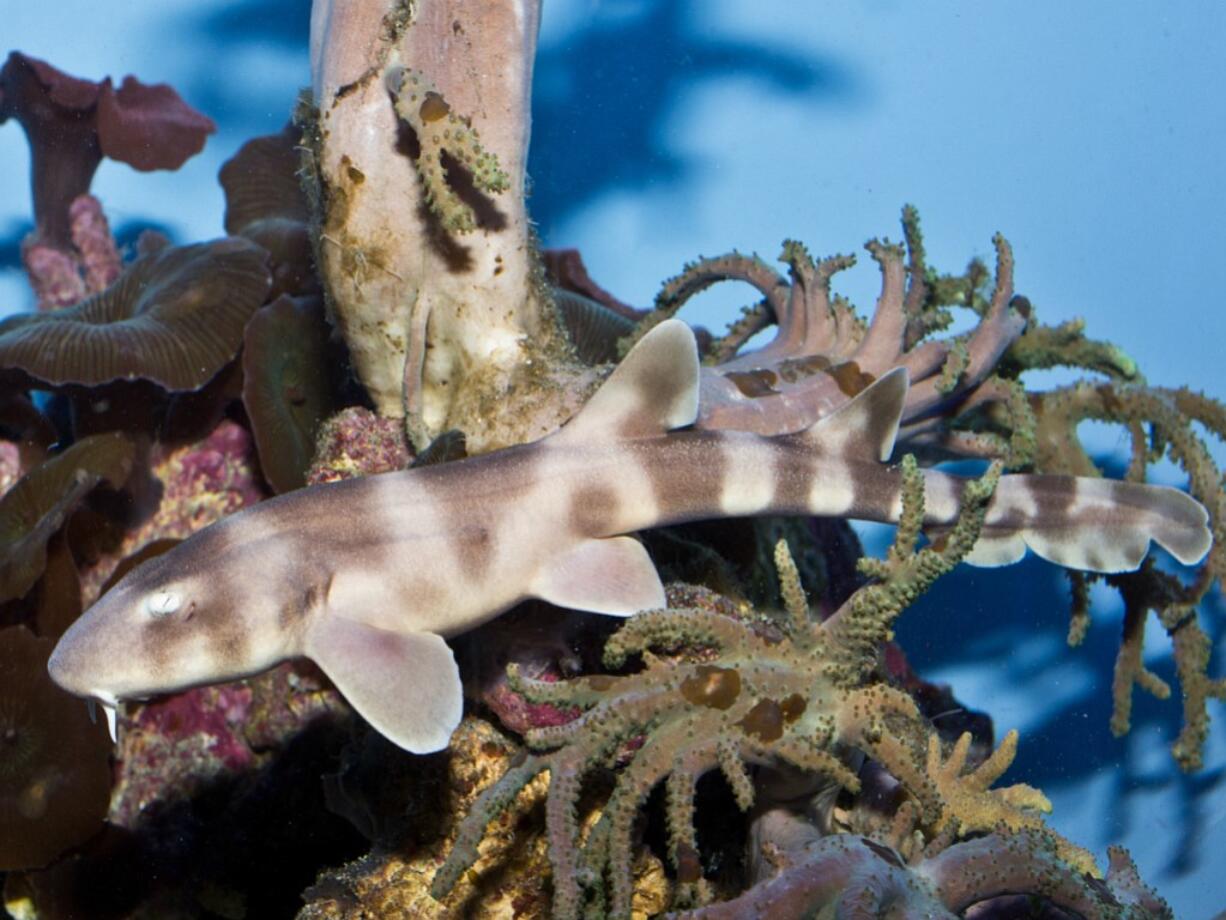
(604, 96)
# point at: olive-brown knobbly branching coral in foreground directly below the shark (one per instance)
(809, 700)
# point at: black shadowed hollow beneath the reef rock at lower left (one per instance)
(241, 845)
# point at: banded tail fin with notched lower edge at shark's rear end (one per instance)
(1081, 523)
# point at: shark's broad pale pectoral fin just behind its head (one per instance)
(406, 685)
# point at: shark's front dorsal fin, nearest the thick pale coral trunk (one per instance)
(653, 391)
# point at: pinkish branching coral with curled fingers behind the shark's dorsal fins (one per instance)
(824, 354)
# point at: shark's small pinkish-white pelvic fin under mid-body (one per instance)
(612, 576)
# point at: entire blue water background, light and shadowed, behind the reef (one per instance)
(1092, 134)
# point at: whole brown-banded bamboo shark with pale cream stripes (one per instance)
(368, 577)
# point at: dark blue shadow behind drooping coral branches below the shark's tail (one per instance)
(983, 614)
